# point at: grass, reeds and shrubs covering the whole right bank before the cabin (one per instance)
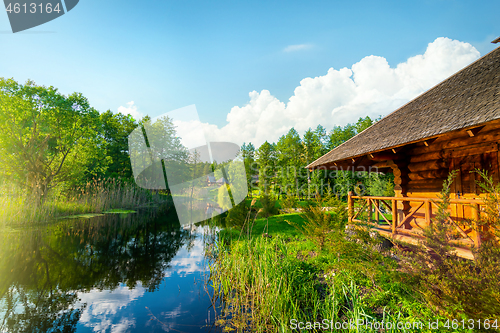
(272, 273)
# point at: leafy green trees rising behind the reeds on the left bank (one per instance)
(49, 140)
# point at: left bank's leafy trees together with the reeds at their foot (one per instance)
(59, 156)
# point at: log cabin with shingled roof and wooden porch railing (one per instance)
(453, 126)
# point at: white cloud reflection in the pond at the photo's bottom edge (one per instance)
(102, 305)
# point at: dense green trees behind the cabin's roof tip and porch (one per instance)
(279, 167)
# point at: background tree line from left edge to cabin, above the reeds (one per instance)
(50, 141)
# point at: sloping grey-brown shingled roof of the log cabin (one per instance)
(468, 98)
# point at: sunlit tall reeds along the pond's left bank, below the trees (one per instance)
(18, 207)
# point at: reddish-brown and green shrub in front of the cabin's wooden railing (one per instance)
(456, 287)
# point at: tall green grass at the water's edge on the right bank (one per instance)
(263, 286)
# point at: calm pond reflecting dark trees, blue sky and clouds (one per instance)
(113, 273)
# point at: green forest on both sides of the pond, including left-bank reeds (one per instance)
(60, 156)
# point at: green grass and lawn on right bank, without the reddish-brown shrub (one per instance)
(277, 275)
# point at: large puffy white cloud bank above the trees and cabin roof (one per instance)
(371, 87)
